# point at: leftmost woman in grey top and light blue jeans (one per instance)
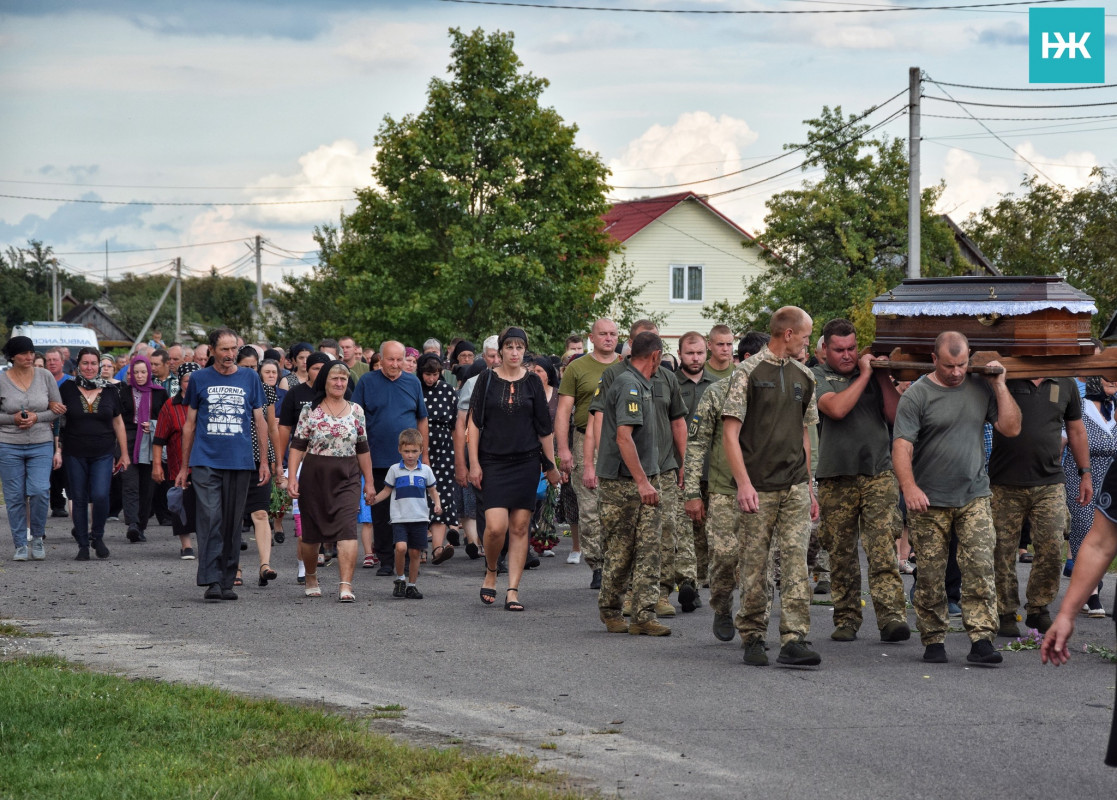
(30, 404)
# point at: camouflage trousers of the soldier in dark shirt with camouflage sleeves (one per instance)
(784, 520)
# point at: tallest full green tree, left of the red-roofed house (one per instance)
(485, 214)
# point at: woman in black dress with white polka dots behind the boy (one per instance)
(442, 414)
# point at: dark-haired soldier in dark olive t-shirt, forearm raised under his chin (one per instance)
(858, 494)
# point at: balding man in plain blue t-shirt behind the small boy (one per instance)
(393, 403)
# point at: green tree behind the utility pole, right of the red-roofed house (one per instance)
(835, 244)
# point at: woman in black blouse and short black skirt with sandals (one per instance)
(510, 441)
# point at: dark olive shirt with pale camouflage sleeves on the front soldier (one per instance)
(775, 401)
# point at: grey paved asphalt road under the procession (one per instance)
(634, 717)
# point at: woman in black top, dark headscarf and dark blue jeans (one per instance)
(93, 434)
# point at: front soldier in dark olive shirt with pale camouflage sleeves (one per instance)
(765, 418)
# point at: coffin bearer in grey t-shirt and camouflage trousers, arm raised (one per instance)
(940, 461)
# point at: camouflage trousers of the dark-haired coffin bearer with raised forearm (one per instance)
(863, 507)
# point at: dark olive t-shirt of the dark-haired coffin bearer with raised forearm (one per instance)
(858, 444)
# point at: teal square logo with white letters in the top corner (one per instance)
(1067, 46)
